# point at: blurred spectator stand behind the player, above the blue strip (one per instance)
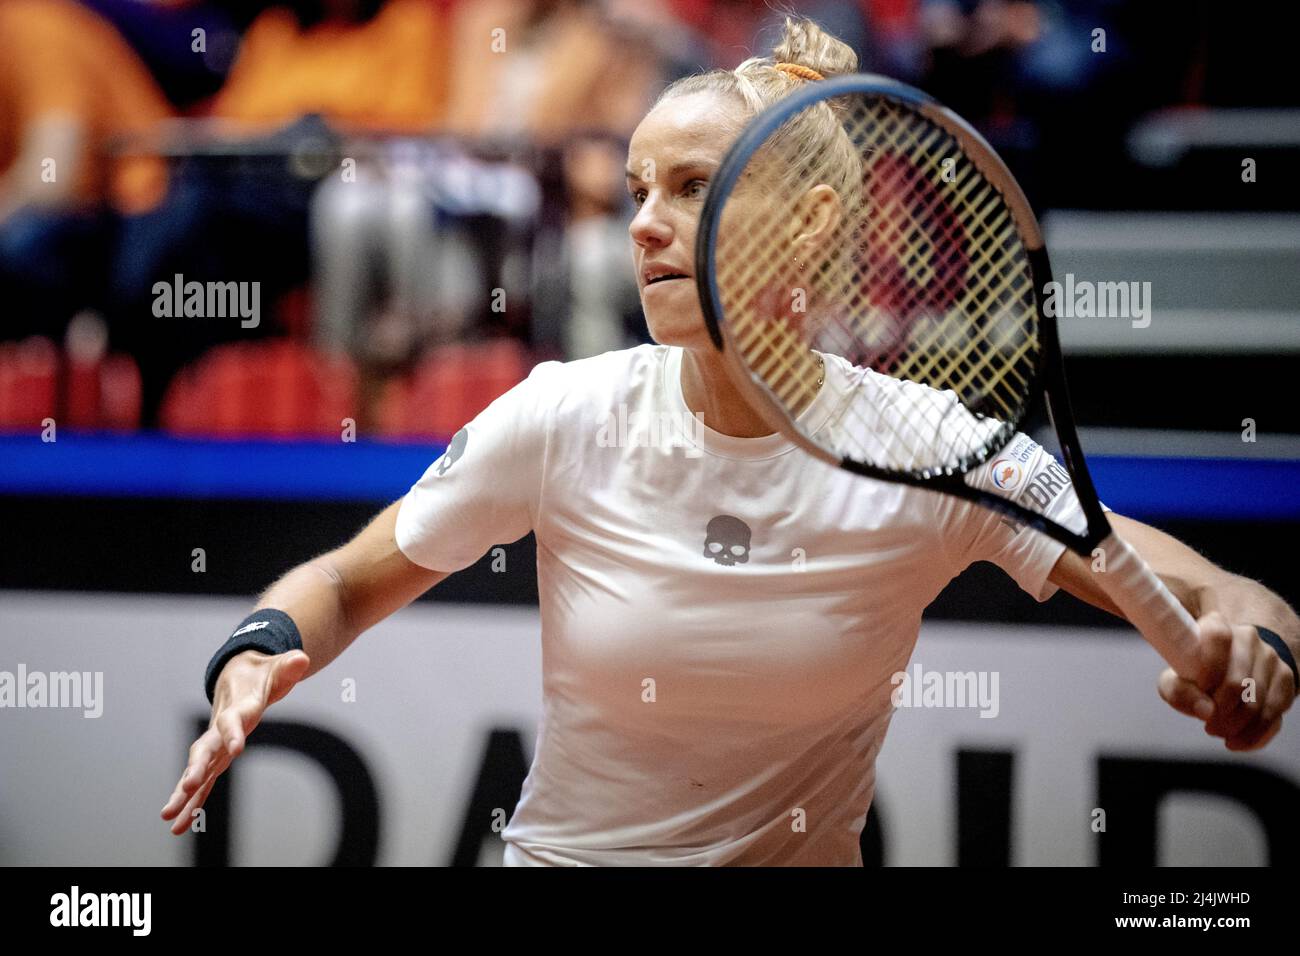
(426, 196)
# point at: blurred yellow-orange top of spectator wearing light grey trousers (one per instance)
(384, 75)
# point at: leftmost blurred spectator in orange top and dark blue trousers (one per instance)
(70, 85)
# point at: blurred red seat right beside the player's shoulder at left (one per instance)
(450, 387)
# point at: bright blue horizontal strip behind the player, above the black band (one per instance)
(170, 468)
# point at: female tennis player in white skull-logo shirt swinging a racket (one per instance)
(721, 615)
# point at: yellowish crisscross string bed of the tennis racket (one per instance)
(931, 289)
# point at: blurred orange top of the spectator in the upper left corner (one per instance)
(59, 59)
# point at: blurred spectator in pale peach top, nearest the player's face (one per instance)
(574, 79)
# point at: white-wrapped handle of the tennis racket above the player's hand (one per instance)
(1150, 607)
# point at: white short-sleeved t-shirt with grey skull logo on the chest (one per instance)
(721, 617)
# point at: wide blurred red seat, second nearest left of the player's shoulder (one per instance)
(280, 388)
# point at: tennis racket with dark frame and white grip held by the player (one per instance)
(860, 219)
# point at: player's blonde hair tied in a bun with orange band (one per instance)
(813, 146)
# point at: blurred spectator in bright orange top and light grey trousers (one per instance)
(369, 70)
